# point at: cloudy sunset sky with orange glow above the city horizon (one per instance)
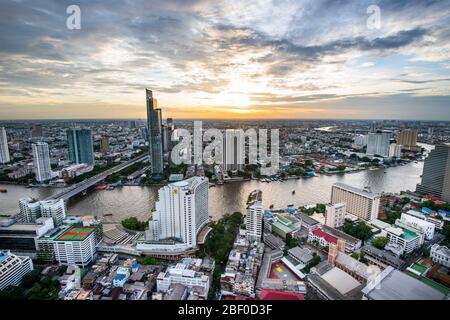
(256, 59)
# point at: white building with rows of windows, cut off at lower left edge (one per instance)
(13, 268)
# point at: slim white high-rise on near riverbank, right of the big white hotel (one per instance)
(254, 217)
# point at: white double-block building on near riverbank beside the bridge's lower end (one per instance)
(31, 210)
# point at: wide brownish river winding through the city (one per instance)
(138, 201)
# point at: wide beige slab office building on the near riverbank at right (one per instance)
(361, 203)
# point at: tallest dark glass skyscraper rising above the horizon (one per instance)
(155, 134)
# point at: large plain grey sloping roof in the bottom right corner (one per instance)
(392, 284)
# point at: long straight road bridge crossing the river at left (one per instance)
(75, 189)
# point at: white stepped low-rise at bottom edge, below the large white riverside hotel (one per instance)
(181, 274)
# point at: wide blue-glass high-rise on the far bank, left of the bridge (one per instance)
(81, 148)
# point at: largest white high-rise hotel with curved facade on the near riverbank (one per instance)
(181, 211)
